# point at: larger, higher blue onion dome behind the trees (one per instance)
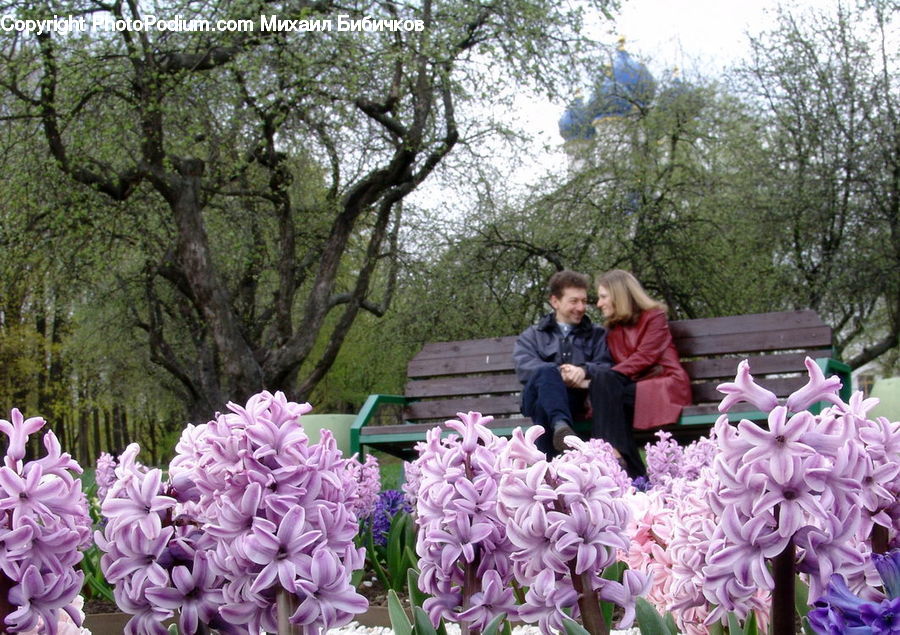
(627, 86)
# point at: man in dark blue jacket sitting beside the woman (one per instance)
(554, 358)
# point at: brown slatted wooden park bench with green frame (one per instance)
(445, 378)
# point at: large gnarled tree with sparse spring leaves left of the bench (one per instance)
(250, 181)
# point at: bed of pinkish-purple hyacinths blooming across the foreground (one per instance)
(254, 528)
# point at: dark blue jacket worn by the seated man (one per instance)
(542, 345)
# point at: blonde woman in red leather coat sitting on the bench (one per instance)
(646, 387)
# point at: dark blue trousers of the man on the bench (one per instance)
(547, 399)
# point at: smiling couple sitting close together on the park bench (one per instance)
(622, 376)
